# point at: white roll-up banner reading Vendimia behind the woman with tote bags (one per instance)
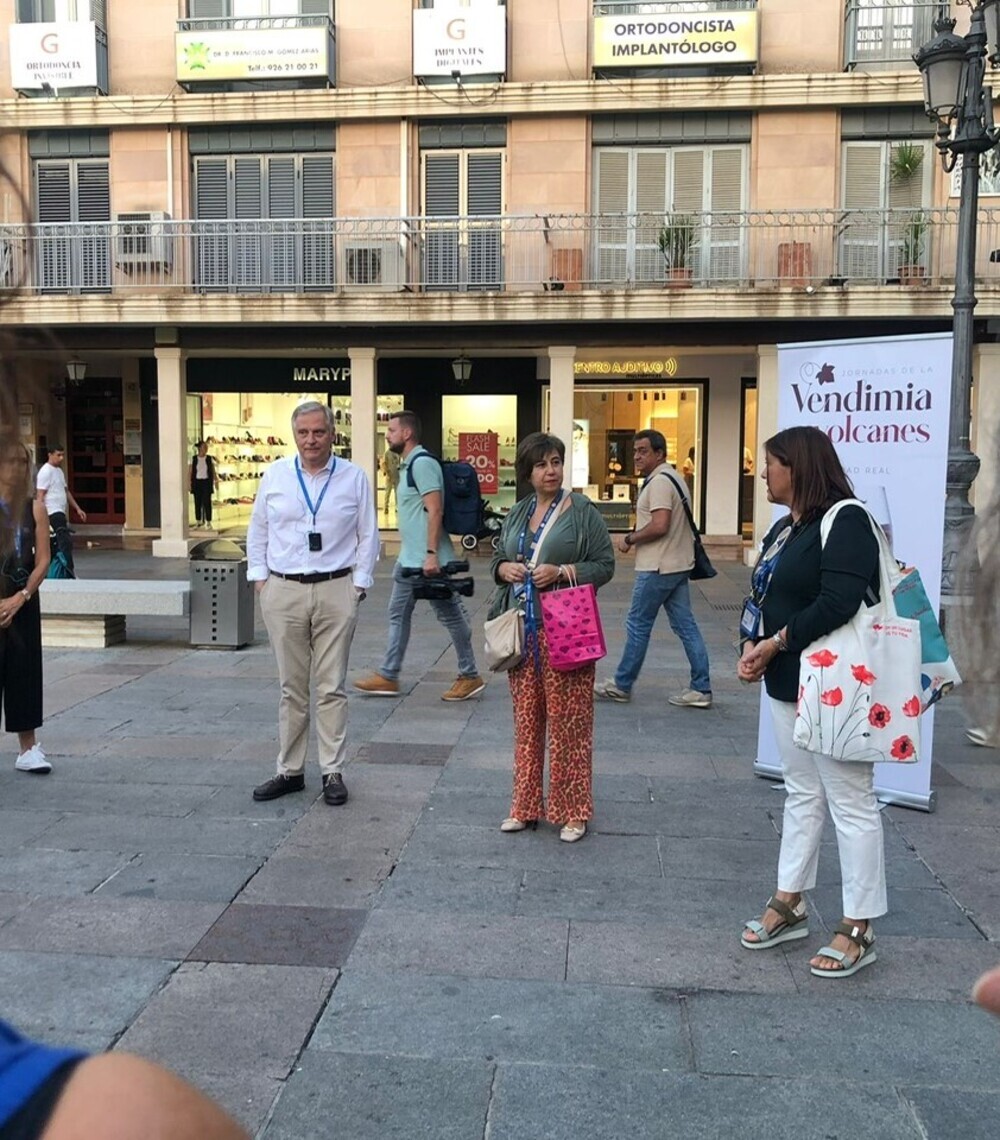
(885, 405)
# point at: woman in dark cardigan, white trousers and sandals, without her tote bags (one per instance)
(806, 591)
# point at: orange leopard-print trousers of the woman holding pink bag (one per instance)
(563, 705)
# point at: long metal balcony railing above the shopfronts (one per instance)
(562, 254)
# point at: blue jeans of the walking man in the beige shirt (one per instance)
(651, 592)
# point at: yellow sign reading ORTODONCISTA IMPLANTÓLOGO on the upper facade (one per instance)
(676, 39)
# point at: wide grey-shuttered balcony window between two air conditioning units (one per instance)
(280, 210)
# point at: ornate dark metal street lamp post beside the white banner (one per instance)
(955, 95)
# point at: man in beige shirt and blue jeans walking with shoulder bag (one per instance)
(664, 558)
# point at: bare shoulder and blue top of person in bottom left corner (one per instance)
(48, 1094)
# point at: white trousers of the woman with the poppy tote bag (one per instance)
(812, 784)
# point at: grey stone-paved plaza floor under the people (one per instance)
(400, 968)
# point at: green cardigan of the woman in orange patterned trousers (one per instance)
(581, 539)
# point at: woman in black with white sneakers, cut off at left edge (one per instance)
(25, 560)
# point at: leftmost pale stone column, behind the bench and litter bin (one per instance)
(172, 393)
